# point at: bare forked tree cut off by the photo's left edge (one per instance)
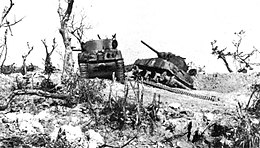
(6, 25)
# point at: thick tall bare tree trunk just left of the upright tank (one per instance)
(65, 16)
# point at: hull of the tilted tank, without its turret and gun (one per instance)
(164, 72)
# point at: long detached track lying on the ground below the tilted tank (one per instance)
(181, 91)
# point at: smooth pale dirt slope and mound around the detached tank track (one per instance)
(230, 88)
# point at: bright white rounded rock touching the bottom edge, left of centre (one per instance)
(95, 139)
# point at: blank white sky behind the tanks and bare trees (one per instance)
(183, 27)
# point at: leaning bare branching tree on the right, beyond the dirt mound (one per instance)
(243, 59)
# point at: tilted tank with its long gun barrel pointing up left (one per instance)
(168, 69)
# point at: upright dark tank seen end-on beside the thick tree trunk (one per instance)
(101, 58)
